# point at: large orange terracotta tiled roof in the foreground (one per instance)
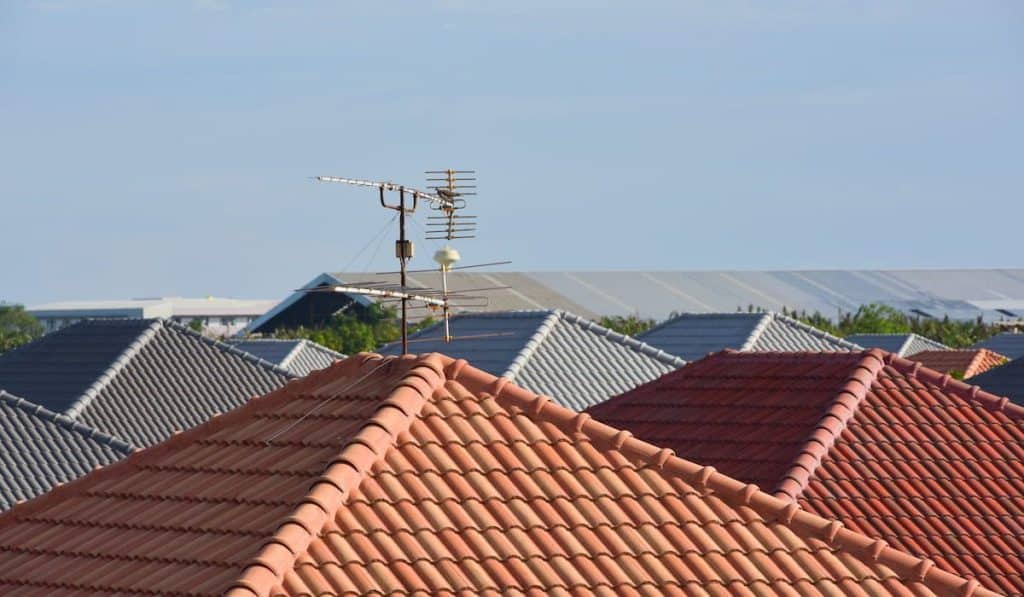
(431, 477)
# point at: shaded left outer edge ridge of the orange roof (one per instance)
(140, 457)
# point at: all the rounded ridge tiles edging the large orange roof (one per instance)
(416, 381)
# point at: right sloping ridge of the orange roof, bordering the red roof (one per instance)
(707, 480)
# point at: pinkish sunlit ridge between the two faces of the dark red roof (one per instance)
(841, 409)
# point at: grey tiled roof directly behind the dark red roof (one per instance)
(693, 336)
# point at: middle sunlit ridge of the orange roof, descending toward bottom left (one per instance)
(346, 473)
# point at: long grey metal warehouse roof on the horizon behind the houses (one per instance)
(961, 294)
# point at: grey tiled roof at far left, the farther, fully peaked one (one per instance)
(137, 379)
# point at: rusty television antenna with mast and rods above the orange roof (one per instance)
(449, 198)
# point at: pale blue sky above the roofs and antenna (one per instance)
(166, 149)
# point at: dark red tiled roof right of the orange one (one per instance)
(893, 450)
